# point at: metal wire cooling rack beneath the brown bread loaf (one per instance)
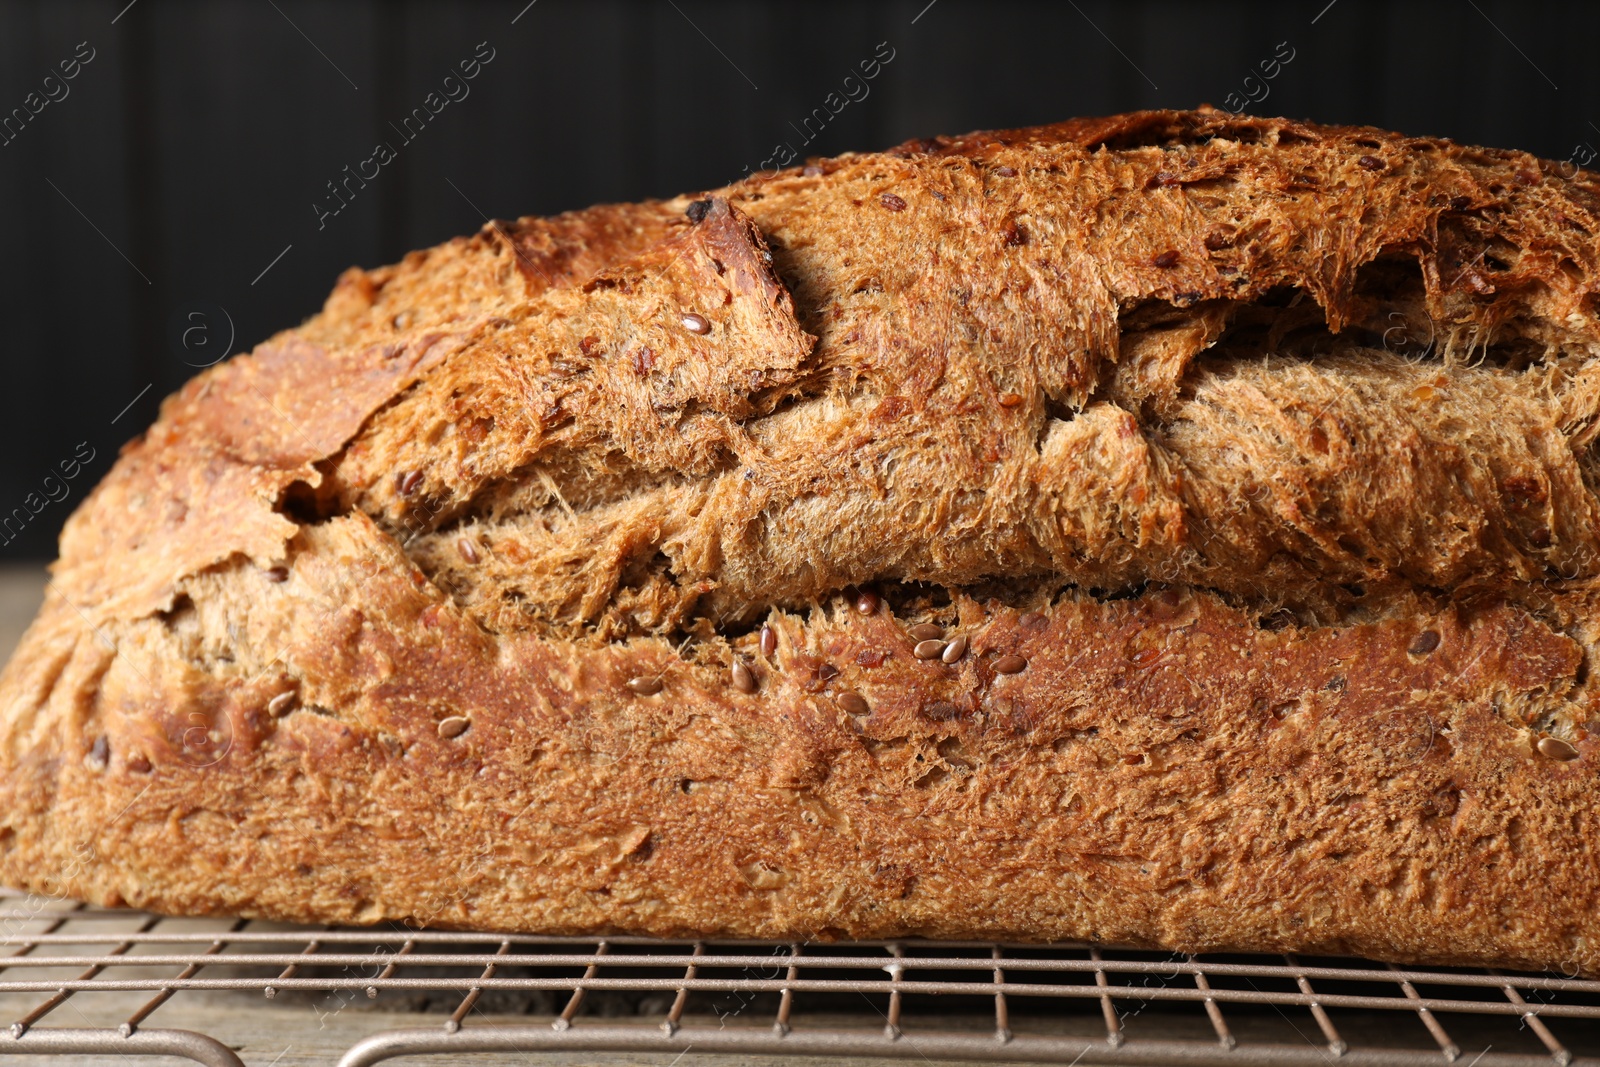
(1073, 1004)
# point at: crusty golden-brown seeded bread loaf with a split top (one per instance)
(1170, 530)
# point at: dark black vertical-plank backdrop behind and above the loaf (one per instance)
(191, 150)
